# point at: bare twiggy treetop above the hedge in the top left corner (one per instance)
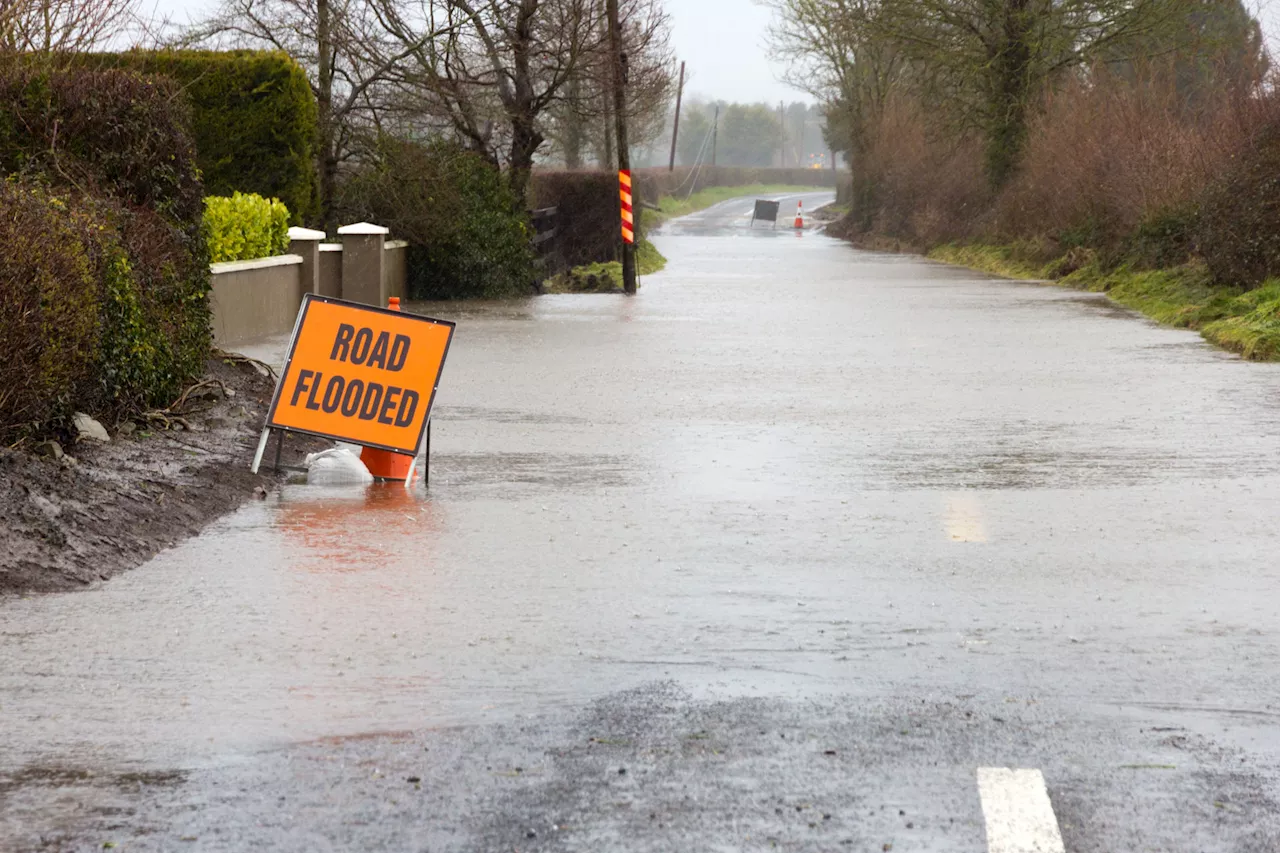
(62, 26)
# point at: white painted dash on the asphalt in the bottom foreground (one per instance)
(1020, 816)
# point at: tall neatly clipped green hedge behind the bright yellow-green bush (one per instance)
(254, 118)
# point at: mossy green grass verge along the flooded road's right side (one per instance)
(1236, 320)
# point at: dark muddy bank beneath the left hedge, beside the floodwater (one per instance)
(85, 512)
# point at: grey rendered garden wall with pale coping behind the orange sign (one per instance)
(260, 299)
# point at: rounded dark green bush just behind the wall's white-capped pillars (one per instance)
(467, 231)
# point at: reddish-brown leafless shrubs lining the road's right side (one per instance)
(1116, 171)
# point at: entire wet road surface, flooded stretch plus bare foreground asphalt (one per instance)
(774, 556)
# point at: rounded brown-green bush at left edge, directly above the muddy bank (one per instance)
(88, 309)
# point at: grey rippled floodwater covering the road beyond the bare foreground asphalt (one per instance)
(787, 468)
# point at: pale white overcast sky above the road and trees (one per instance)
(723, 42)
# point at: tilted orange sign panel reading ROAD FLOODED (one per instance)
(360, 375)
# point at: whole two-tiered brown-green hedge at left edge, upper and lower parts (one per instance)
(104, 289)
